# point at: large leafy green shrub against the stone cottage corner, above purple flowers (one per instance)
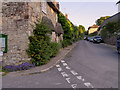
(41, 49)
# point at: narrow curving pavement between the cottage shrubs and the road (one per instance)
(62, 53)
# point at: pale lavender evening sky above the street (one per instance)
(86, 13)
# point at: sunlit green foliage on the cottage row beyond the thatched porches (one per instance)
(71, 33)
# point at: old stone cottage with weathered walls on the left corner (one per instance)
(17, 18)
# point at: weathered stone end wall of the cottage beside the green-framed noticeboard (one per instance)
(15, 25)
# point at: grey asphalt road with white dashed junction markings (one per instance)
(89, 65)
